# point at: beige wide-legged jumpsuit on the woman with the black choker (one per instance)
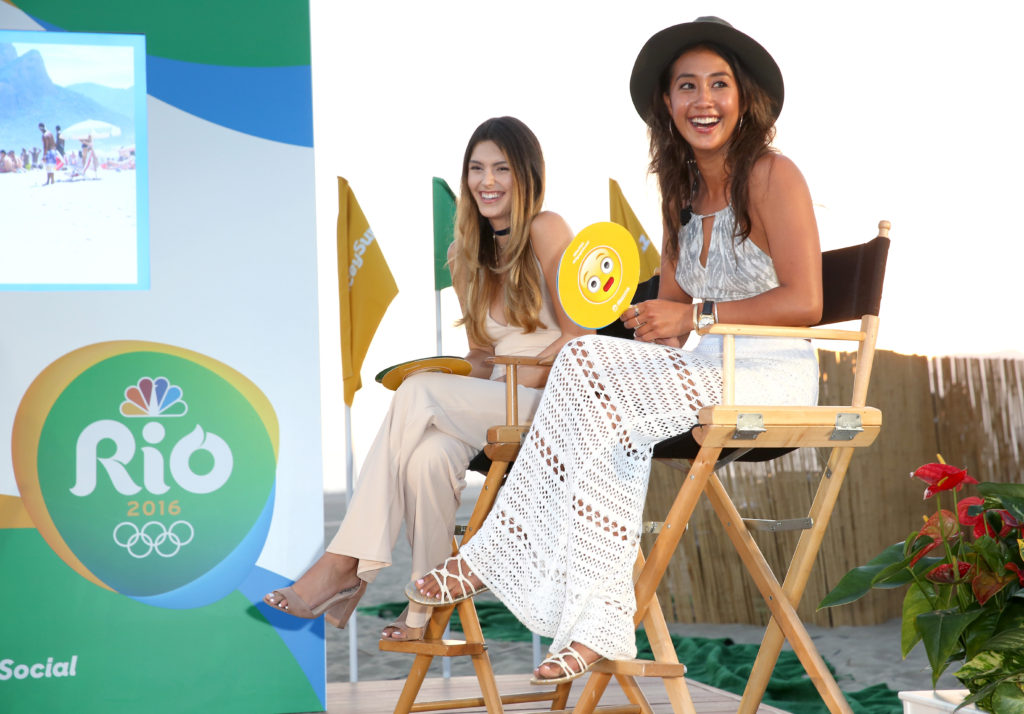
(416, 469)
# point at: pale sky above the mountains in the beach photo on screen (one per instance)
(67, 65)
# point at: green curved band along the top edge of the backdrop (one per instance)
(255, 33)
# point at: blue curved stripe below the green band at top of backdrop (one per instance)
(273, 103)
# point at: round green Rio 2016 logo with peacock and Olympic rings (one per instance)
(149, 470)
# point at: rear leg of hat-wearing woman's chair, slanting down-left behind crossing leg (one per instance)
(798, 574)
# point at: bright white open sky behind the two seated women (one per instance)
(898, 111)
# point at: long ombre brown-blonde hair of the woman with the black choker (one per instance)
(477, 263)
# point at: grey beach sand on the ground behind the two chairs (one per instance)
(863, 656)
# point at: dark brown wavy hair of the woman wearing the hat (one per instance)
(673, 161)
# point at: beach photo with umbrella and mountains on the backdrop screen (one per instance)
(73, 173)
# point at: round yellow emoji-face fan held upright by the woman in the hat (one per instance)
(599, 275)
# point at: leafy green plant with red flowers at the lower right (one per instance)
(965, 569)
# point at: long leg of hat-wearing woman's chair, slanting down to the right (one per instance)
(779, 604)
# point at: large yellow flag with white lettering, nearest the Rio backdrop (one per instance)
(366, 287)
